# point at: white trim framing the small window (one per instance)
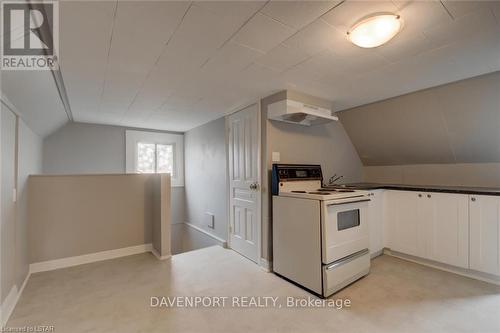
(132, 138)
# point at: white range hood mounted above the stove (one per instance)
(299, 113)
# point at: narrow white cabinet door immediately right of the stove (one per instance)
(376, 220)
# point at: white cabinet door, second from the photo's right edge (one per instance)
(448, 236)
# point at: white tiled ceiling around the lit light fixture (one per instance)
(176, 65)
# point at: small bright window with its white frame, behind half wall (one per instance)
(155, 152)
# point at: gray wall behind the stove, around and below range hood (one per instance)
(327, 145)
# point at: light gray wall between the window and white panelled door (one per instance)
(205, 176)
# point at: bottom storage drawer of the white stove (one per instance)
(345, 271)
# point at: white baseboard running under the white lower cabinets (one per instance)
(444, 267)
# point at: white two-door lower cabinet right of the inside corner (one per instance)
(433, 226)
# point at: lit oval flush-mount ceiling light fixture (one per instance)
(375, 30)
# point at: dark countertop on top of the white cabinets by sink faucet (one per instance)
(424, 188)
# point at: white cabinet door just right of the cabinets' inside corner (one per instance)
(403, 221)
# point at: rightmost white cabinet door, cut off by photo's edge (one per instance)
(485, 233)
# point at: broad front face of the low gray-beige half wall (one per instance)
(82, 214)
